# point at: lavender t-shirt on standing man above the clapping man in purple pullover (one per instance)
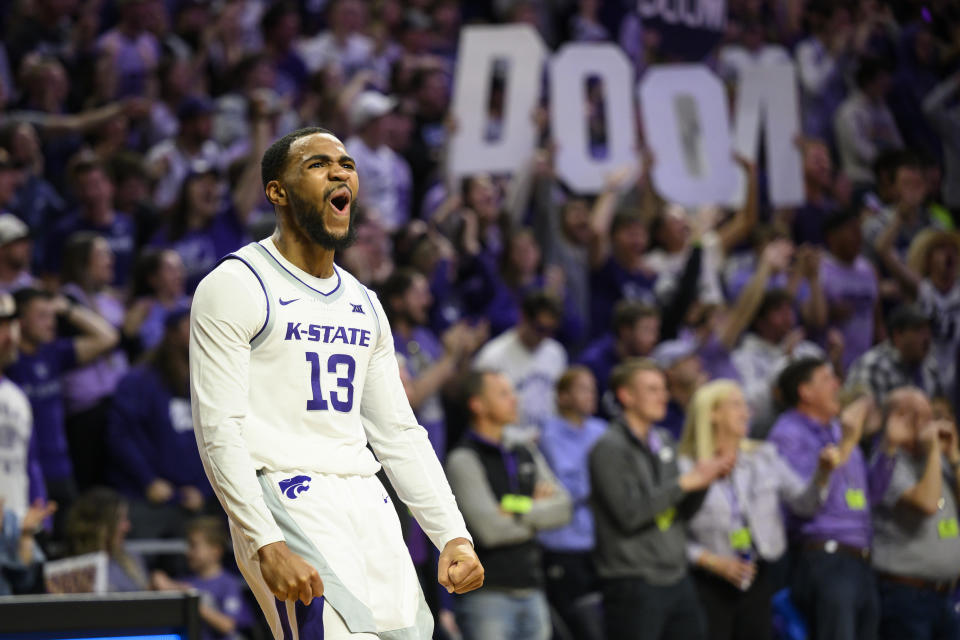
(855, 288)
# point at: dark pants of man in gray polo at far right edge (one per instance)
(919, 614)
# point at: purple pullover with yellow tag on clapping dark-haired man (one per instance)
(845, 515)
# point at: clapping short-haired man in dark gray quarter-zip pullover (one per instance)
(640, 502)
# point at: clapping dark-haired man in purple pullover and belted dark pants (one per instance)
(833, 584)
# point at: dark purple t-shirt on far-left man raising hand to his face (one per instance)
(40, 375)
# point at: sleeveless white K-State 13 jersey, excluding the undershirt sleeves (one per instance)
(308, 369)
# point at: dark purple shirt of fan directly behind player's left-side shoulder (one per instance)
(200, 249)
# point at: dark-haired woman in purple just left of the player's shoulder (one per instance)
(159, 281)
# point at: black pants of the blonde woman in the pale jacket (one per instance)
(733, 614)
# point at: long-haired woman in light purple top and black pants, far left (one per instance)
(87, 272)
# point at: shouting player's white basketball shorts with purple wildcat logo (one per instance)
(347, 528)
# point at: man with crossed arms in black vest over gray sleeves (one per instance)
(506, 494)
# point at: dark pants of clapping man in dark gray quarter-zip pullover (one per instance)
(634, 609)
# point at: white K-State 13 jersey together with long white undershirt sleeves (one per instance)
(293, 374)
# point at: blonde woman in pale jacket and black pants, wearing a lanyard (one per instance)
(739, 531)
